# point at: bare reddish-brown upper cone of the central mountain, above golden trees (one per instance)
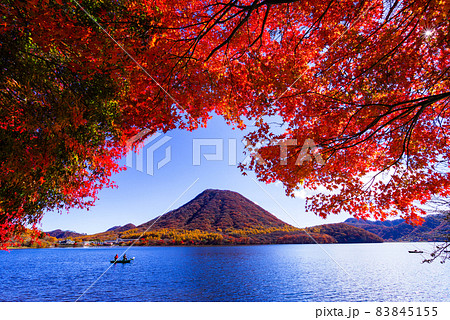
(216, 209)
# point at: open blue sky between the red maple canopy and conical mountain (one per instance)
(141, 196)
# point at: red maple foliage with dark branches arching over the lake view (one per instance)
(367, 81)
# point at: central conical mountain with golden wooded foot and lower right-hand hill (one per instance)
(220, 217)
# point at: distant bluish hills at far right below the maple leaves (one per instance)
(433, 228)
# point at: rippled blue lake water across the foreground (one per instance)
(333, 272)
